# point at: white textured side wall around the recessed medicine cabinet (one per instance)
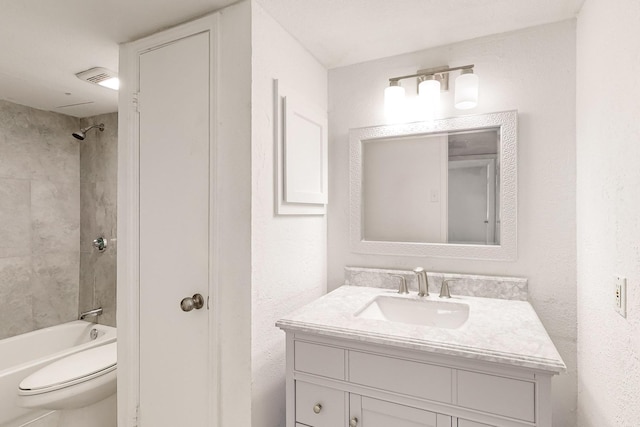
(288, 253)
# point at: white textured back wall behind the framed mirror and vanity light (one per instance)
(533, 71)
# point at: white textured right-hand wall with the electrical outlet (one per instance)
(608, 229)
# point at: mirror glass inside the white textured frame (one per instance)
(432, 188)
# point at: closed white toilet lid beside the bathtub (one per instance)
(78, 367)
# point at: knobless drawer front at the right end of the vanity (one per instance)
(497, 395)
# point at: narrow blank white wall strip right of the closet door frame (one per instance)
(234, 209)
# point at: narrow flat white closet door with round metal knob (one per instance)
(174, 108)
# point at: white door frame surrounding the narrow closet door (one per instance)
(128, 283)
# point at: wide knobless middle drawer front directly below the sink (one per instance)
(401, 376)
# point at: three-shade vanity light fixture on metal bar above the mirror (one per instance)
(430, 84)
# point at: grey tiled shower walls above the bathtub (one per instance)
(57, 194)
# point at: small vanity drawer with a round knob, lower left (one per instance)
(332, 405)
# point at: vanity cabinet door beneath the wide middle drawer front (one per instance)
(368, 412)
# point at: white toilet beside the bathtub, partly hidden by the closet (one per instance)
(75, 381)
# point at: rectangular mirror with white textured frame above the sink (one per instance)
(443, 188)
